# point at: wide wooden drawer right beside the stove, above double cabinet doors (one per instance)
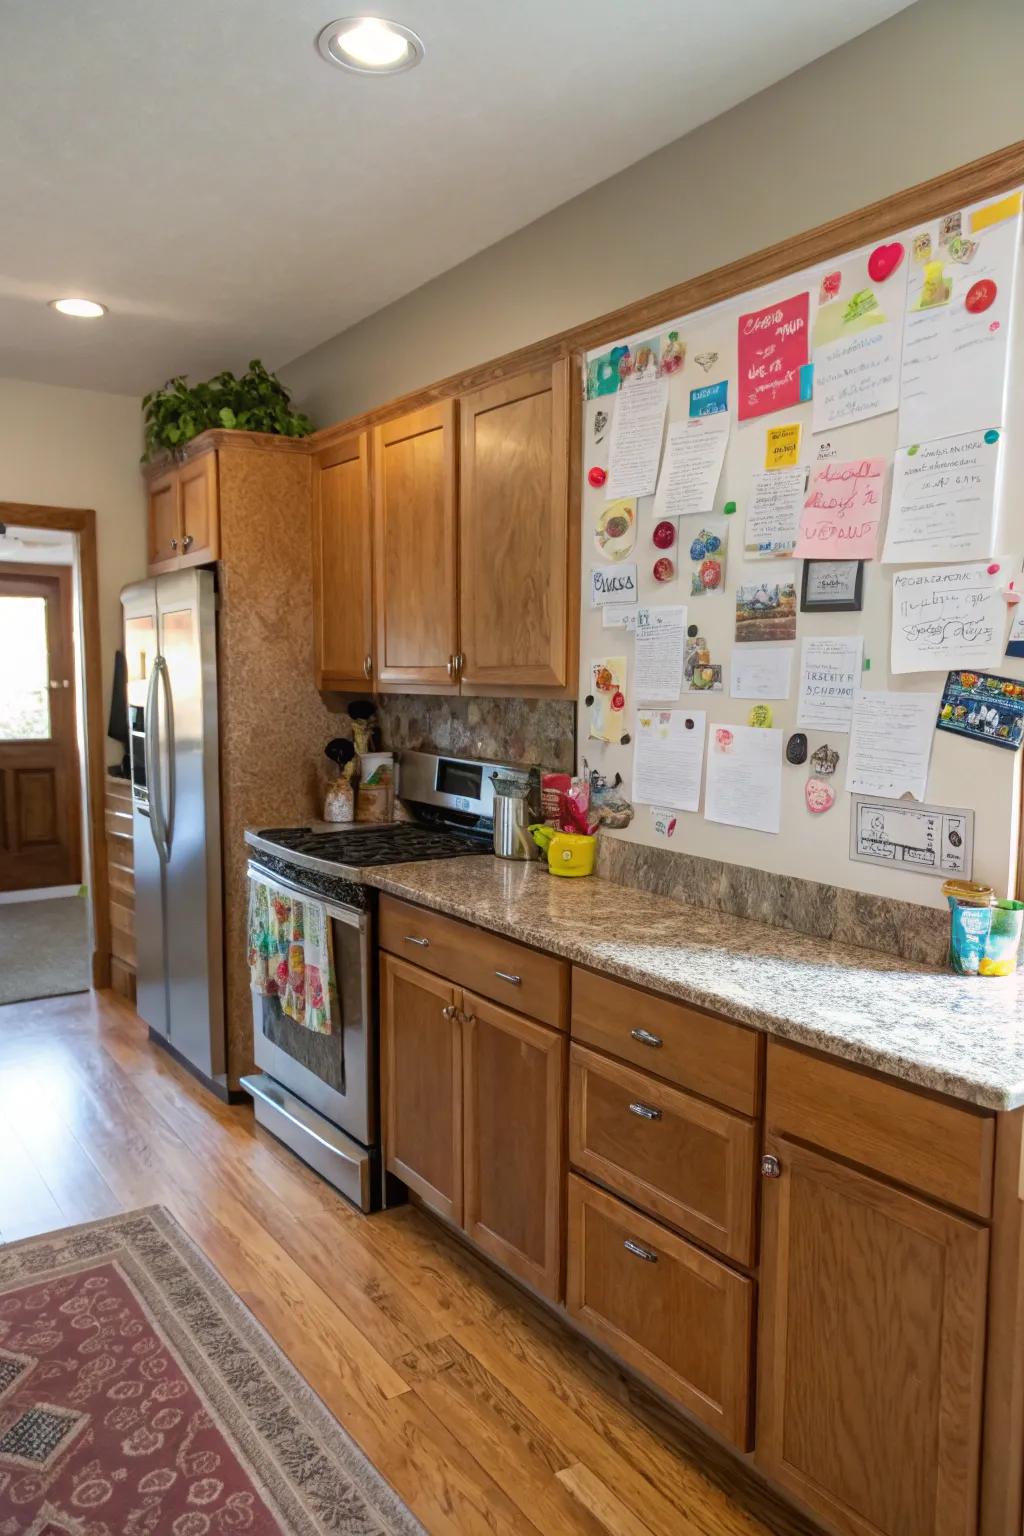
(509, 973)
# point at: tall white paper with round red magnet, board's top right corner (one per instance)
(956, 334)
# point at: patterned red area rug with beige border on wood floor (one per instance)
(139, 1397)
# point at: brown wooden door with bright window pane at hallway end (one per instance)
(41, 790)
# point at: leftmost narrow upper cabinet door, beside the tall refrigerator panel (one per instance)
(343, 566)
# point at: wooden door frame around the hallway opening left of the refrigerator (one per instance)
(84, 523)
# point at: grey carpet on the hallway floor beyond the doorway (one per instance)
(45, 948)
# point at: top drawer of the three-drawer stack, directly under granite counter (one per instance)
(712, 1056)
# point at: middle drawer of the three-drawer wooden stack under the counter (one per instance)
(681, 1159)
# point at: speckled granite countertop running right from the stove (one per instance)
(960, 1036)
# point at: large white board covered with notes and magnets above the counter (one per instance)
(893, 365)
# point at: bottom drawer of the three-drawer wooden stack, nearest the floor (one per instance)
(675, 1314)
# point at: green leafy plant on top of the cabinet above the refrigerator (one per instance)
(257, 402)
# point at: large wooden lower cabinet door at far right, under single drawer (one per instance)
(873, 1325)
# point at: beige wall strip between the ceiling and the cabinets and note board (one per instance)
(933, 88)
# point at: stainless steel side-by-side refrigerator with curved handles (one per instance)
(171, 649)
